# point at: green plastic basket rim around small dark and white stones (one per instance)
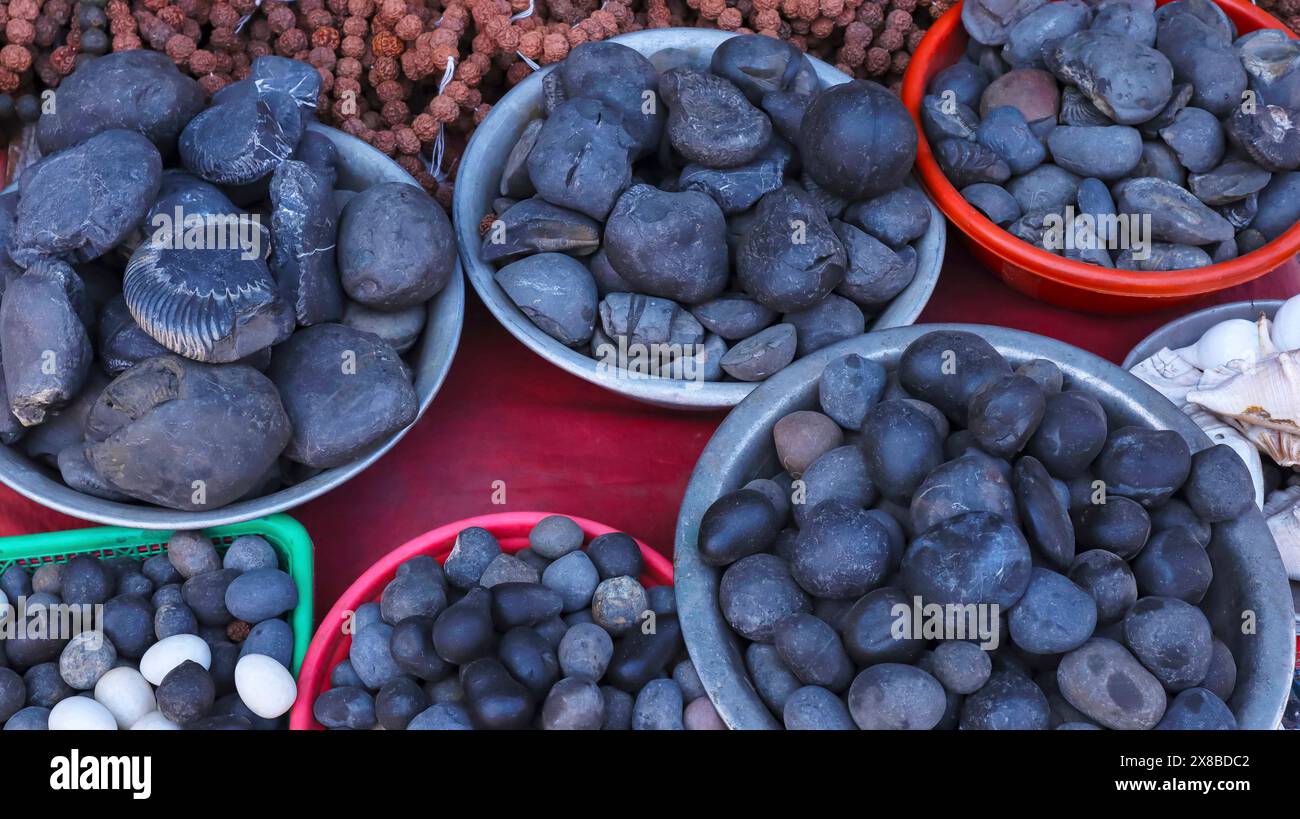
(285, 535)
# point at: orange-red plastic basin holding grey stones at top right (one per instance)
(1055, 279)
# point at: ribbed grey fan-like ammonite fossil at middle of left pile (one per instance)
(207, 305)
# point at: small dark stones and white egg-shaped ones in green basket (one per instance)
(184, 640)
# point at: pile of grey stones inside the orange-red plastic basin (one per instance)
(1071, 124)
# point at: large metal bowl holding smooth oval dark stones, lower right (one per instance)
(1249, 574)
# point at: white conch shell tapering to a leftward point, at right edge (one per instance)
(1266, 395)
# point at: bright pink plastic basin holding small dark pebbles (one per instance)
(331, 645)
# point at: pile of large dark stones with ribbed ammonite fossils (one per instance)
(193, 314)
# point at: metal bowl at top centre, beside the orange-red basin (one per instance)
(478, 185)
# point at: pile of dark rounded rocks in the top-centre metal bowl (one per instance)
(707, 222)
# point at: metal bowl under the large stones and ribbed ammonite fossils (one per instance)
(359, 167)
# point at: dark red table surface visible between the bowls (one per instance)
(564, 445)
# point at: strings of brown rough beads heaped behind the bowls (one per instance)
(382, 62)
